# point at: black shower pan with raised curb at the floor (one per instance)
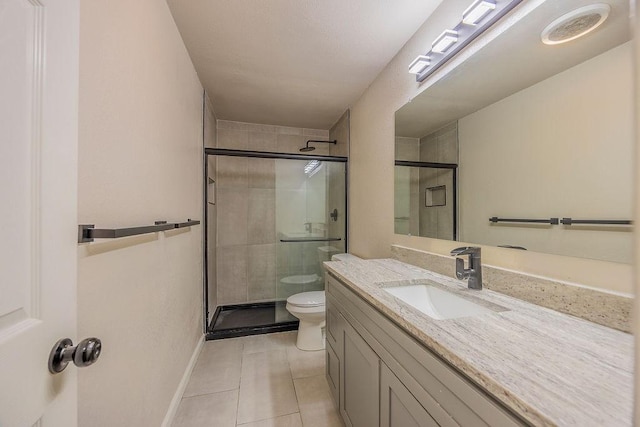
(250, 319)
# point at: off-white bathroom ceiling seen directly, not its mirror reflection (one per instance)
(298, 63)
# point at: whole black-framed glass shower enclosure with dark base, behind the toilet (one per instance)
(272, 219)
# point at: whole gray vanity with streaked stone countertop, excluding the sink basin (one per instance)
(390, 364)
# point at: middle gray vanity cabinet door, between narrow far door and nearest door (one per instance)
(359, 382)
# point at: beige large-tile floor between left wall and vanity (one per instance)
(258, 381)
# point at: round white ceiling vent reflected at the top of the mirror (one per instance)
(575, 24)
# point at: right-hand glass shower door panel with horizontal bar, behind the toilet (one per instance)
(310, 223)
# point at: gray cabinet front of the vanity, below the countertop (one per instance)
(381, 376)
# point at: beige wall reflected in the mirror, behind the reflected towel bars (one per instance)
(567, 157)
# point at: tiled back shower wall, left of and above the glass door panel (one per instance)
(246, 207)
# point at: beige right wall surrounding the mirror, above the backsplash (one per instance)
(371, 169)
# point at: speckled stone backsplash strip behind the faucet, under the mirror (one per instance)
(603, 308)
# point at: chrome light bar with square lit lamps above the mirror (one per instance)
(477, 18)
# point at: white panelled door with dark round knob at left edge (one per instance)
(38, 214)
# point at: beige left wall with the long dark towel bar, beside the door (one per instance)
(140, 160)
